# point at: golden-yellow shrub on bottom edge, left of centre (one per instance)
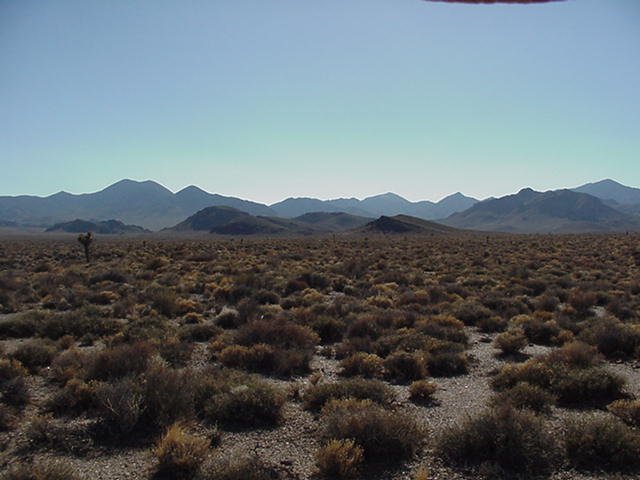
(179, 453)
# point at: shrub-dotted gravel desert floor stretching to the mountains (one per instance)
(384, 357)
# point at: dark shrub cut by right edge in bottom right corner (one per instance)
(599, 443)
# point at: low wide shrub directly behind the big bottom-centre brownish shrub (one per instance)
(316, 396)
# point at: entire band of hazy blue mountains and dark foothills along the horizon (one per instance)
(595, 207)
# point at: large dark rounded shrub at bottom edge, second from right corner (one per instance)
(508, 441)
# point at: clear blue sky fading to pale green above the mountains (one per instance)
(270, 99)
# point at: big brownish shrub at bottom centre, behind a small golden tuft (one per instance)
(381, 434)
